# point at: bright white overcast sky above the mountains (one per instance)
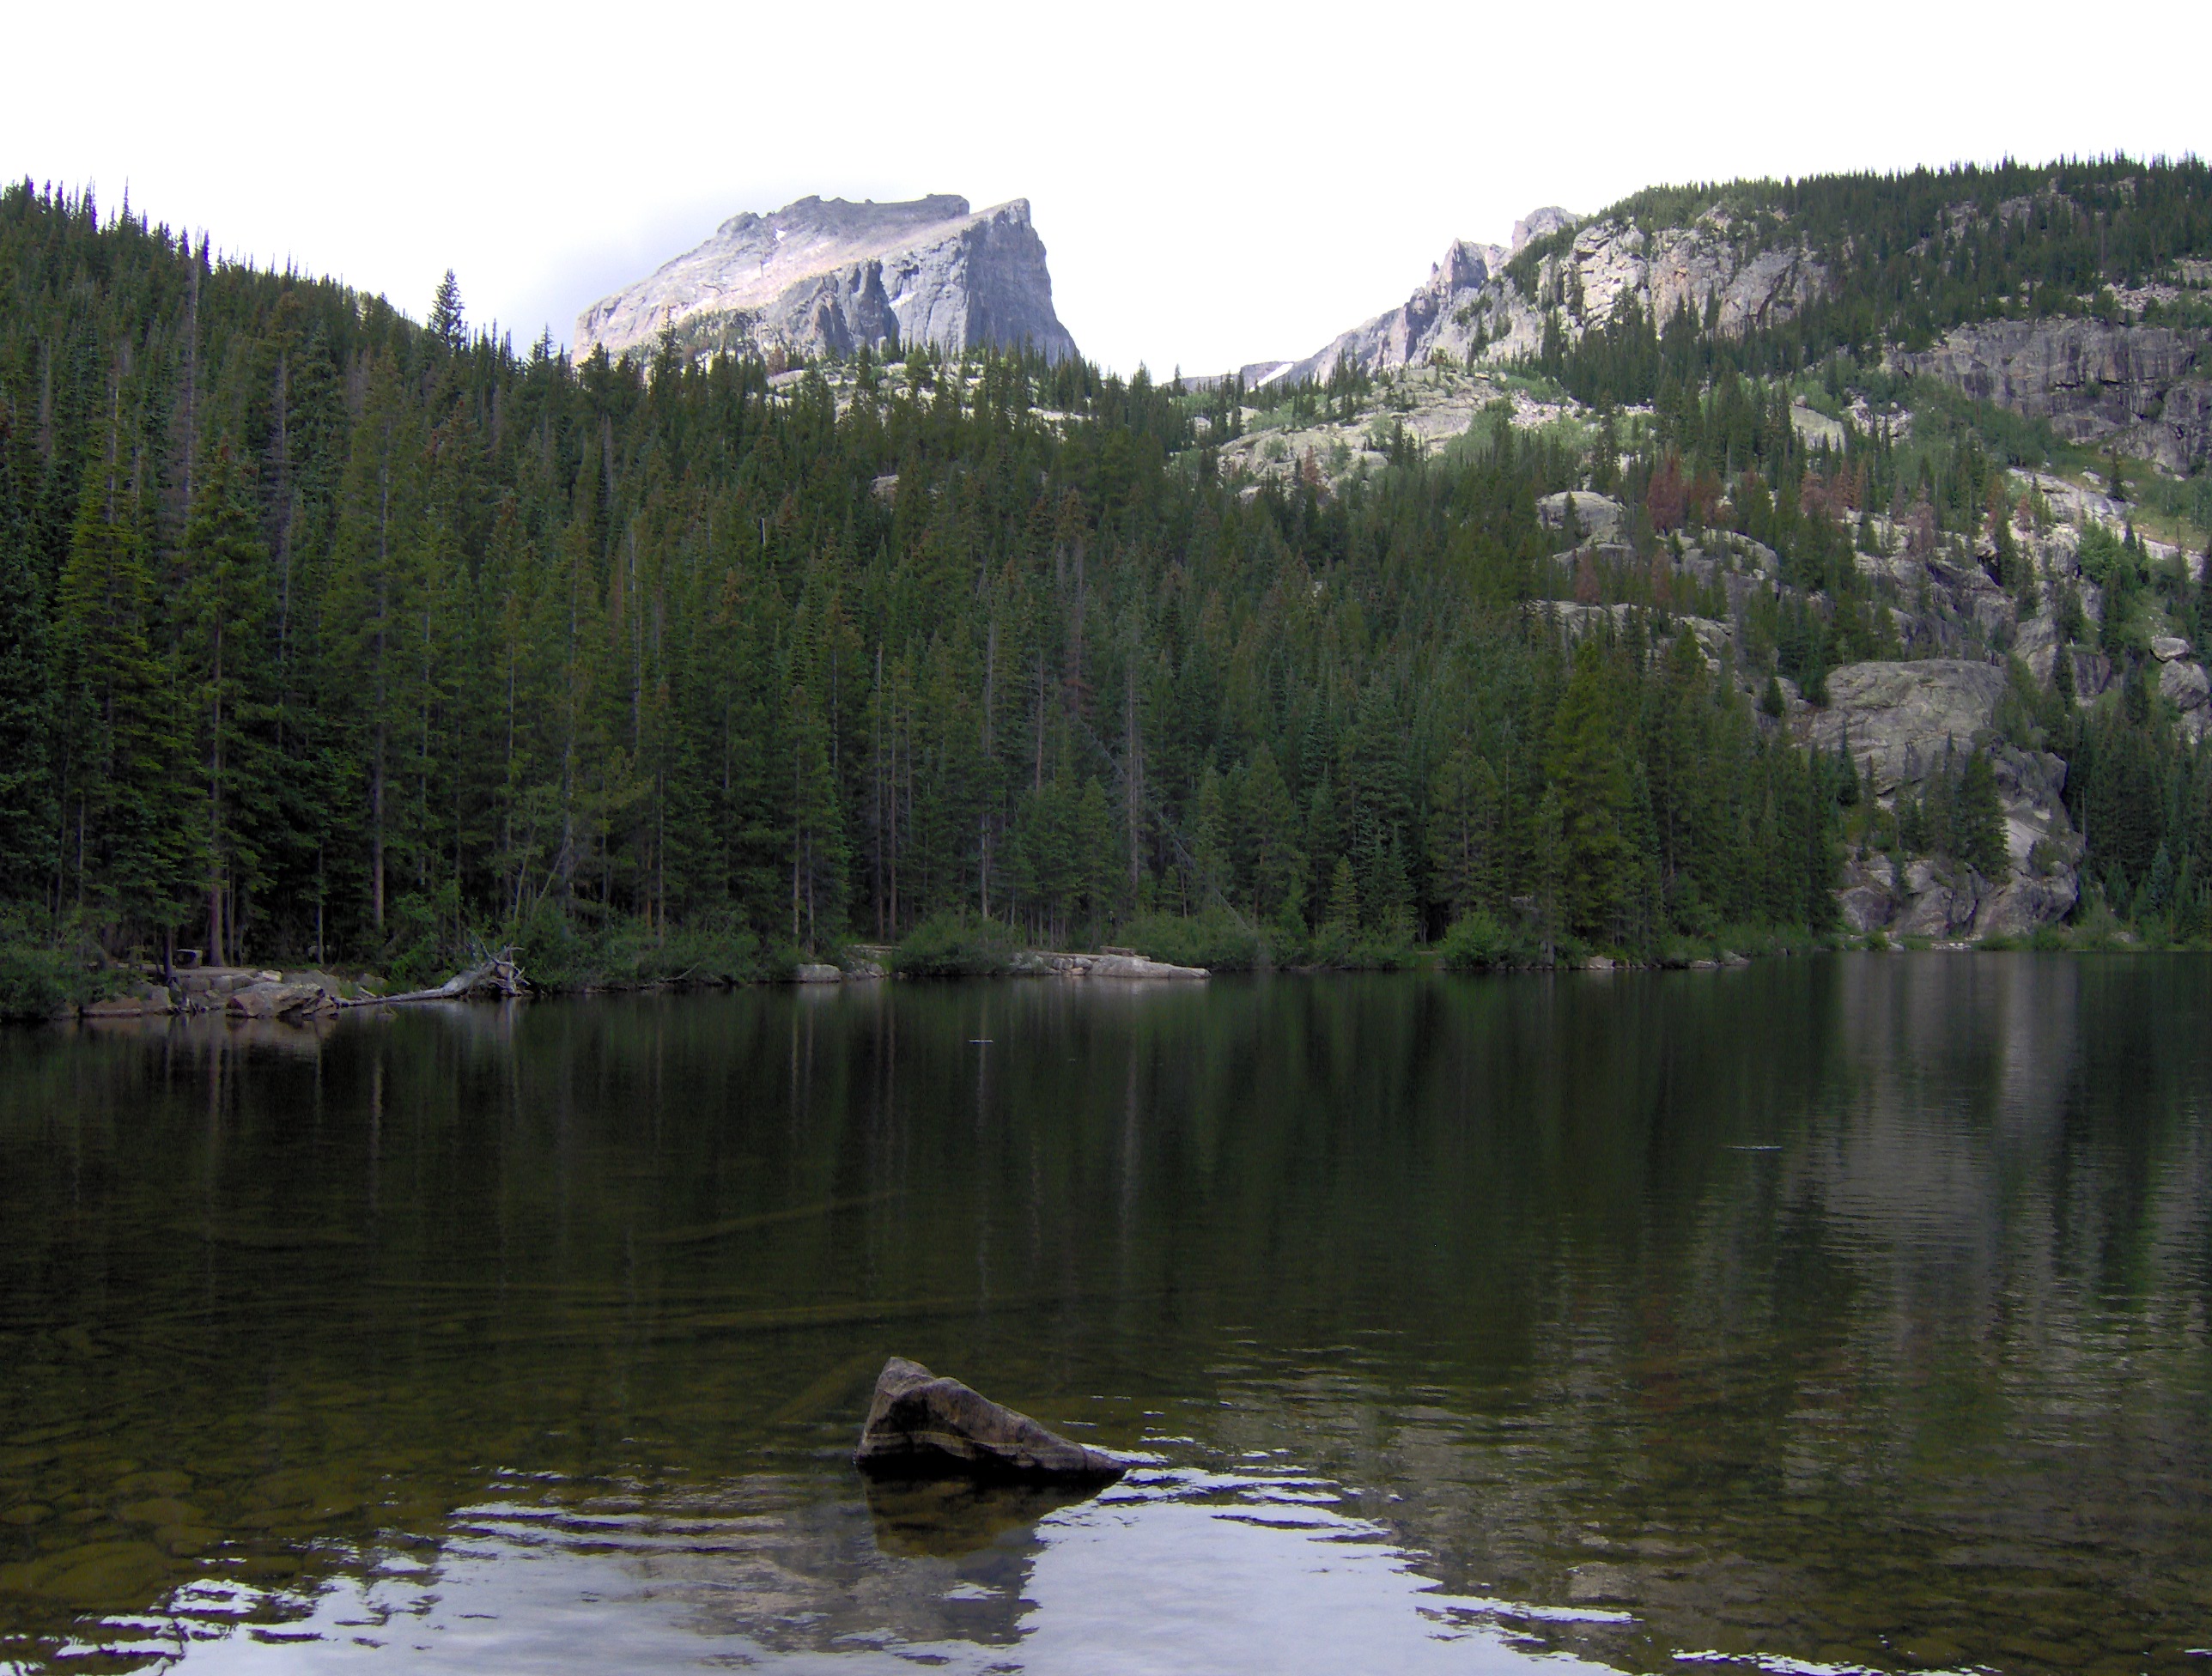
(1215, 185)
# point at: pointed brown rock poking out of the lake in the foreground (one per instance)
(924, 1425)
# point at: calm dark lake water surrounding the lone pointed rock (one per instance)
(1841, 1314)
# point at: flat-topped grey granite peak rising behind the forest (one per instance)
(826, 277)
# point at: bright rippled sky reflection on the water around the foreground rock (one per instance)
(1173, 1571)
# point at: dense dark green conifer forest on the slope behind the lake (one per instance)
(335, 636)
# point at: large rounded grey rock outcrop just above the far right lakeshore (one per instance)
(1901, 722)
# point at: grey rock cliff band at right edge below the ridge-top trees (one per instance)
(2145, 390)
